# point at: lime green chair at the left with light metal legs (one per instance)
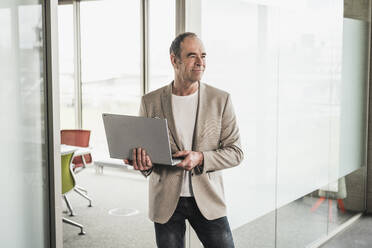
(68, 184)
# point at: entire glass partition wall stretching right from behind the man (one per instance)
(297, 72)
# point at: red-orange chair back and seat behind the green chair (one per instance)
(77, 137)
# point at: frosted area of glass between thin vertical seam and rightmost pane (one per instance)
(309, 85)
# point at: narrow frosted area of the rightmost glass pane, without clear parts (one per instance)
(353, 96)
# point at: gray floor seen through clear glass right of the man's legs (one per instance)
(296, 225)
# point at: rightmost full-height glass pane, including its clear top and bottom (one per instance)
(349, 191)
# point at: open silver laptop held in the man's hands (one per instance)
(124, 132)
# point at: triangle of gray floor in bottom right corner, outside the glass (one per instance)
(358, 235)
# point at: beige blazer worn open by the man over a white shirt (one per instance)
(216, 134)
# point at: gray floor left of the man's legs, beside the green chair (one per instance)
(112, 190)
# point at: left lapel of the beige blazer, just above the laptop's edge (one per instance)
(168, 114)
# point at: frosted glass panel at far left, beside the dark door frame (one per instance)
(24, 206)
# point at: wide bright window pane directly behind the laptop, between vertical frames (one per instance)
(110, 64)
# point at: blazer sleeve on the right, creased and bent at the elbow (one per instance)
(229, 153)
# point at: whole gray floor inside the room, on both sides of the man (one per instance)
(118, 217)
